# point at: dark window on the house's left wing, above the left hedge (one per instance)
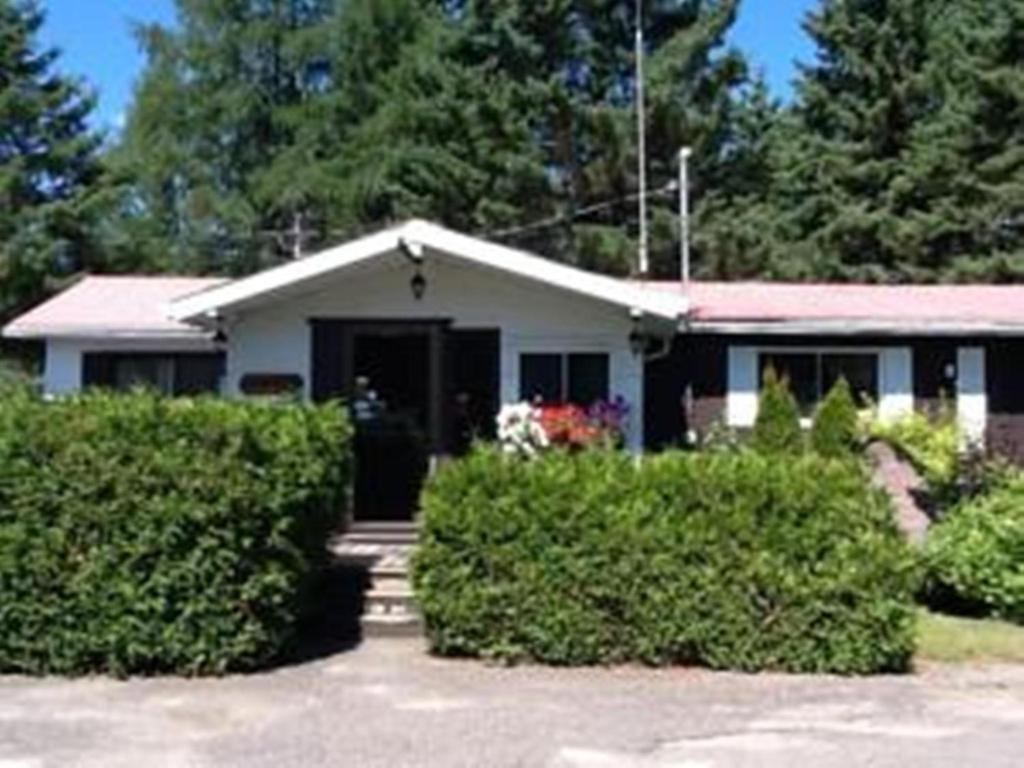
(170, 374)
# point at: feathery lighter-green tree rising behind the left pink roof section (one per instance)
(225, 105)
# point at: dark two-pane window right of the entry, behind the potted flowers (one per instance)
(579, 378)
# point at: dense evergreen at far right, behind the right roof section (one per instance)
(902, 159)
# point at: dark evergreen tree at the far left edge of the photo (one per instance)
(49, 165)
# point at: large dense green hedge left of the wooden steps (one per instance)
(143, 535)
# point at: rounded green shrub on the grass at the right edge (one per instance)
(975, 557)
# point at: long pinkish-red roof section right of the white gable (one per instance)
(855, 308)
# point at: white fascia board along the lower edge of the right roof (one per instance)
(852, 328)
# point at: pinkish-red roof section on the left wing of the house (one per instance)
(107, 307)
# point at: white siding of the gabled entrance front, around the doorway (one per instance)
(276, 339)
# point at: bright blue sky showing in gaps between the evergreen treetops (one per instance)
(98, 44)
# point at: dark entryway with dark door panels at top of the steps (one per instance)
(416, 390)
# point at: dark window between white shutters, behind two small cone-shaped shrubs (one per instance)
(813, 374)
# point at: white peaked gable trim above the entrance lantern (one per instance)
(420, 234)
